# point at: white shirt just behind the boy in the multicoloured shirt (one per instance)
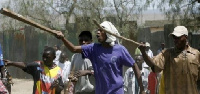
(65, 70)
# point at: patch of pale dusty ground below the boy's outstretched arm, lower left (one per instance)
(22, 86)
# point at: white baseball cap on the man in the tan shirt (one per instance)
(179, 31)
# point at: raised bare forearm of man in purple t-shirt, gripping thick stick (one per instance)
(68, 44)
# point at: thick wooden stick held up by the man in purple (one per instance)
(19, 17)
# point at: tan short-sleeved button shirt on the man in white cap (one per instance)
(180, 70)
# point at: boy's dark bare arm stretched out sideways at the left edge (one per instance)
(20, 65)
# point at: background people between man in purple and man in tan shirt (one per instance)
(150, 79)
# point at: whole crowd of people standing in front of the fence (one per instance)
(97, 68)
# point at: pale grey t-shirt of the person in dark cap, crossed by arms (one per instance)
(84, 83)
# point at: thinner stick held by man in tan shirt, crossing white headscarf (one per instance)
(95, 22)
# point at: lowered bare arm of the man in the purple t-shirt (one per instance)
(139, 77)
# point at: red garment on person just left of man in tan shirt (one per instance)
(152, 83)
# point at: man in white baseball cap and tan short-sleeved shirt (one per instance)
(180, 64)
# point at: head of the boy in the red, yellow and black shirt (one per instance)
(48, 58)
